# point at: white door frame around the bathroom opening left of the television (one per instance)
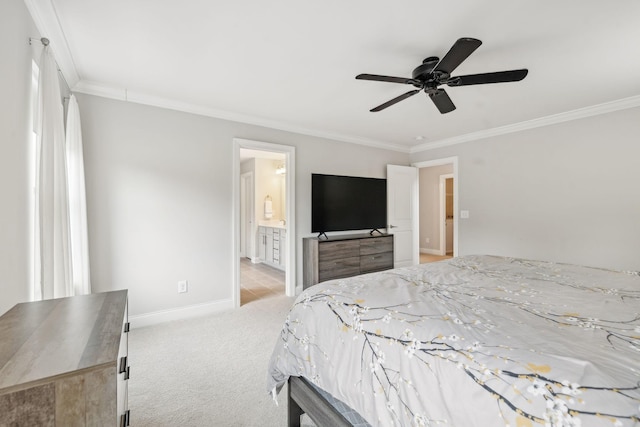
(290, 269)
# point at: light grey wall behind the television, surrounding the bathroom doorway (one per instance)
(159, 191)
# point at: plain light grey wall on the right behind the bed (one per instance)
(568, 192)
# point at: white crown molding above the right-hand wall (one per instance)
(581, 113)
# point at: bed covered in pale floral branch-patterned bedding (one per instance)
(471, 341)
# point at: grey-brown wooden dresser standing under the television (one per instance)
(344, 256)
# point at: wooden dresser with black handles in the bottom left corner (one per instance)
(63, 362)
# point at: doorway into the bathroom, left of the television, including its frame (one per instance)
(263, 171)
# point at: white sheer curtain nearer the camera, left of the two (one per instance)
(53, 272)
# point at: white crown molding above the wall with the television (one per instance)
(96, 89)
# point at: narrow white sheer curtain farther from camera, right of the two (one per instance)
(77, 202)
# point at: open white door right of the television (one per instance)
(402, 213)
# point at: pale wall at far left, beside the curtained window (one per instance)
(16, 26)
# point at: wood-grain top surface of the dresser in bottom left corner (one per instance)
(43, 339)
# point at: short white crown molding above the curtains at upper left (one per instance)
(46, 19)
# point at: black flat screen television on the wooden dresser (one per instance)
(342, 203)
